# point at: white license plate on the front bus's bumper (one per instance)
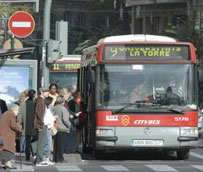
(147, 142)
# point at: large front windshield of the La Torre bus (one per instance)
(165, 84)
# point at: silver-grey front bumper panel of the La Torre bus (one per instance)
(119, 138)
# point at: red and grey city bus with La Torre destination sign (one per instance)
(140, 93)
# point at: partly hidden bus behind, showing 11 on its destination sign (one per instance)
(64, 71)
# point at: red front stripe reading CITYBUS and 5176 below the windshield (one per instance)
(107, 119)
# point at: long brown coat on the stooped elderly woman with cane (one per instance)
(8, 128)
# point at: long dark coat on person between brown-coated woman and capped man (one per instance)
(26, 117)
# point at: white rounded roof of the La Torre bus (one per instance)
(137, 38)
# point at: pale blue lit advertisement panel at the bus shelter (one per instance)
(16, 76)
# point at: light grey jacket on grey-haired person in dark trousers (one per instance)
(63, 122)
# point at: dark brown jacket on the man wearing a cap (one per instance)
(39, 113)
